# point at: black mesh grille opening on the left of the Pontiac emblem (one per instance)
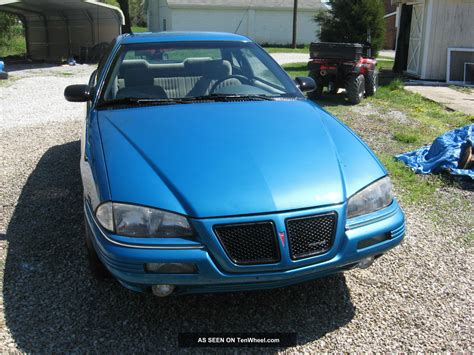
(249, 243)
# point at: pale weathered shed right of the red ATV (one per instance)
(436, 39)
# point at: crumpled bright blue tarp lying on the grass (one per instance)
(443, 154)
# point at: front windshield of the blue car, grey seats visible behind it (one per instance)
(190, 71)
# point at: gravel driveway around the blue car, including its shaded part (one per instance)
(416, 298)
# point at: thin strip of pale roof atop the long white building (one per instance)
(302, 4)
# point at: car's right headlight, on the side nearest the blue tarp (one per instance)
(373, 198)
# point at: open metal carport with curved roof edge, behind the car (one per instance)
(58, 29)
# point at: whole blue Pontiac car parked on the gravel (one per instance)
(205, 169)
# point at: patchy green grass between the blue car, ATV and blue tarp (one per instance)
(392, 122)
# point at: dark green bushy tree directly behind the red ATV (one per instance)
(353, 21)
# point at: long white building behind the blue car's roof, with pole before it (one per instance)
(265, 21)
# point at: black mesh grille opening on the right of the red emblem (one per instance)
(312, 235)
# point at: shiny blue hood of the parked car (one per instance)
(233, 158)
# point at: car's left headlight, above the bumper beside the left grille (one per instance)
(142, 222)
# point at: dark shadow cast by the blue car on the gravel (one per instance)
(52, 304)
